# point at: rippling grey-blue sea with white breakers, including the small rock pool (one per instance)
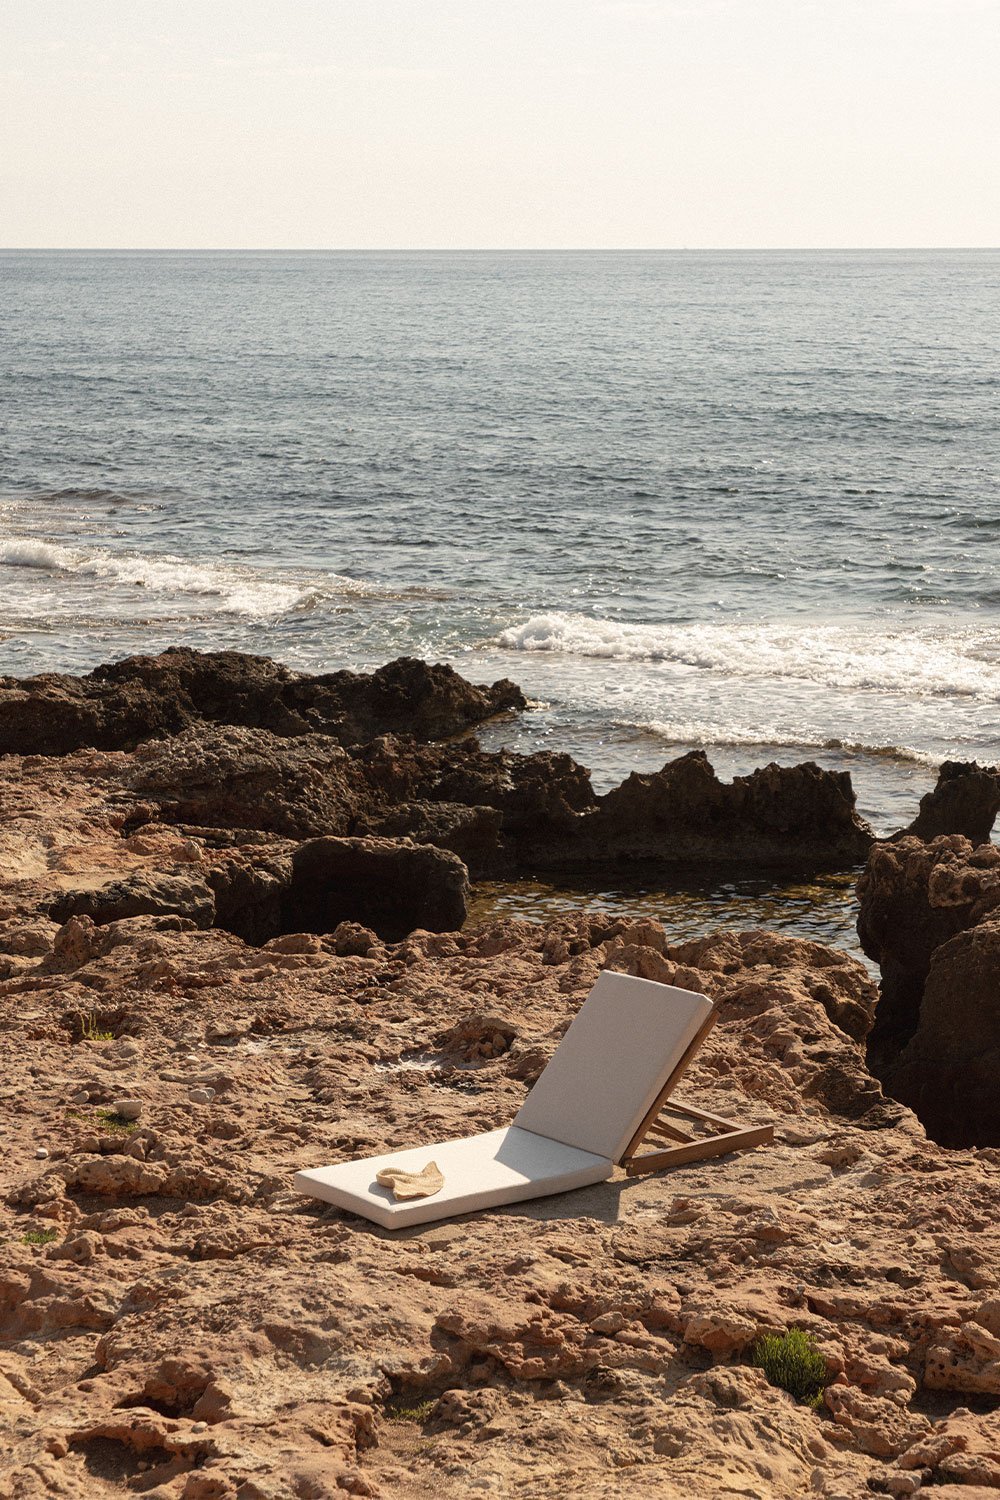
(737, 502)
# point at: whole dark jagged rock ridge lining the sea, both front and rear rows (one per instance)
(236, 742)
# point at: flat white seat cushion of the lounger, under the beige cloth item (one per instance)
(481, 1172)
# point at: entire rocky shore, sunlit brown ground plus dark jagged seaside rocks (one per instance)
(233, 944)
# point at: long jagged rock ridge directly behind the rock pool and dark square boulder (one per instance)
(503, 814)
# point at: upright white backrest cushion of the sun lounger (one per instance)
(623, 1046)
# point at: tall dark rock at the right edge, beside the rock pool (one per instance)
(926, 919)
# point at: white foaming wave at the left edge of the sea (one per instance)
(239, 592)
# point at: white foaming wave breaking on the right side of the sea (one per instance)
(942, 662)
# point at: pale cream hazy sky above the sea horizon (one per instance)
(500, 124)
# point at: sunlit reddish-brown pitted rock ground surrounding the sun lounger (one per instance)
(211, 1334)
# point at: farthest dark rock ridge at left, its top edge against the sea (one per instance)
(118, 707)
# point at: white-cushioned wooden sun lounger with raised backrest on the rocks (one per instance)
(606, 1093)
